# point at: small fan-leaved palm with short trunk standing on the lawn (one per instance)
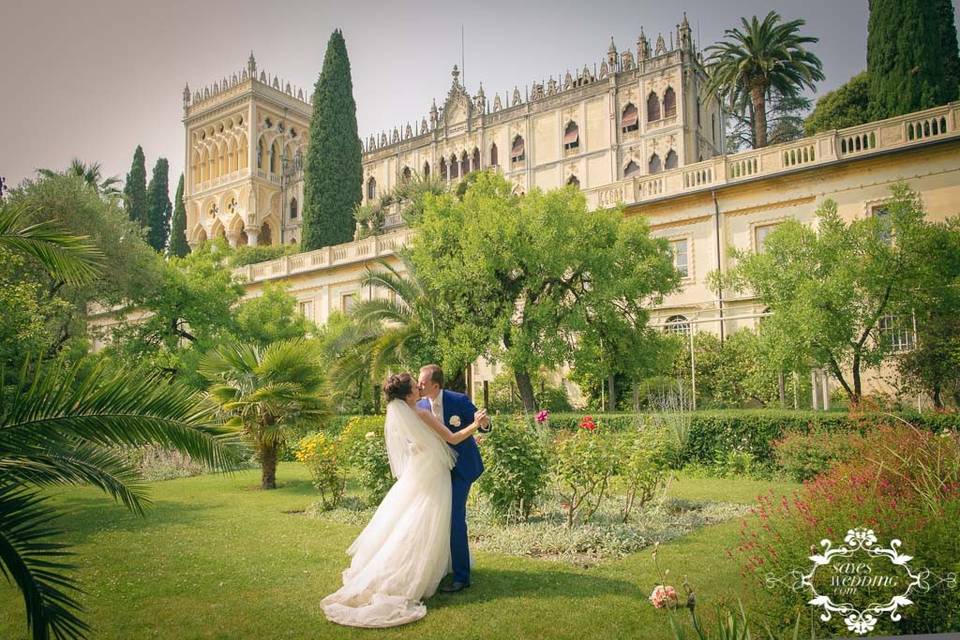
(265, 391)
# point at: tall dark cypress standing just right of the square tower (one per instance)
(333, 172)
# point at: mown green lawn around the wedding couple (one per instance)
(215, 557)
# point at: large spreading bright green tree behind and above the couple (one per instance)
(528, 280)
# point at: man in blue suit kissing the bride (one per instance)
(456, 411)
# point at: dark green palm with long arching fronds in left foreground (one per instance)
(64, 428)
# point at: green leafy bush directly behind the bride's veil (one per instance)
(363, 443)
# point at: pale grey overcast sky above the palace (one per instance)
(94, 78)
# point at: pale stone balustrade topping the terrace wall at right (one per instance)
(873, 138)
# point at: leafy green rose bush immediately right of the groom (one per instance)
(515, 468)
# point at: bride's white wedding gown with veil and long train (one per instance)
(404, 552)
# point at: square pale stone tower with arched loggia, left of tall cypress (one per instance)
(246, 137)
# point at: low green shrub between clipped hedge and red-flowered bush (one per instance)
(803, 456)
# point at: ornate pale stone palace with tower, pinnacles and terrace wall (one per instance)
(637, 130)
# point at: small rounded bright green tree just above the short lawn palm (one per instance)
(270, 317)
